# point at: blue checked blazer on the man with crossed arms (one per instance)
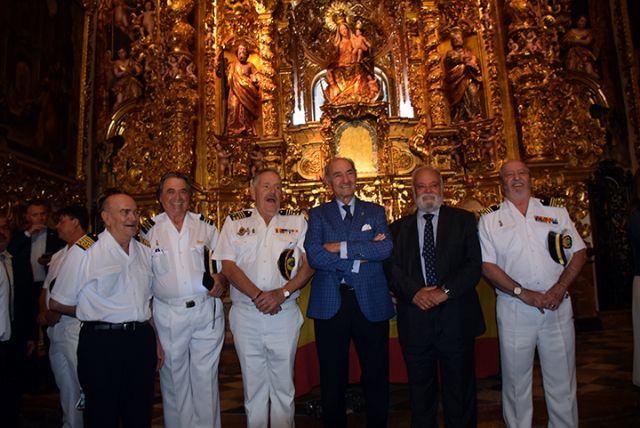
(372, 293)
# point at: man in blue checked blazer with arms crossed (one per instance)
(346, 243)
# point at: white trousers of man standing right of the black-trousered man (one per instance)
(192, 341)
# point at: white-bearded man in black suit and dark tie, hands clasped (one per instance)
(433, 271)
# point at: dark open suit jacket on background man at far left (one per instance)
(26, 293)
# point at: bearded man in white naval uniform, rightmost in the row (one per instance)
(532, 253)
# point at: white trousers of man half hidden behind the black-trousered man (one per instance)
(64, 364)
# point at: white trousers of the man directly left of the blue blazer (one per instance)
(266, 346)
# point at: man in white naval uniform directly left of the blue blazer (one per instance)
(263, 256)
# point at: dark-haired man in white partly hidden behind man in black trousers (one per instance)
(64, 330)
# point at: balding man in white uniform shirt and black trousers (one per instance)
(109, 289)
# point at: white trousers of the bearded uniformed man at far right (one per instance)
(522, 328)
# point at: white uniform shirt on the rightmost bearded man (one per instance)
(518, 245)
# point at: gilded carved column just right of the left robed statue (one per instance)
(267, 80)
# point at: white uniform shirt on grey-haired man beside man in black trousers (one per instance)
(178, 257)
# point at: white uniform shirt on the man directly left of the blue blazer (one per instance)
(256, 248)
